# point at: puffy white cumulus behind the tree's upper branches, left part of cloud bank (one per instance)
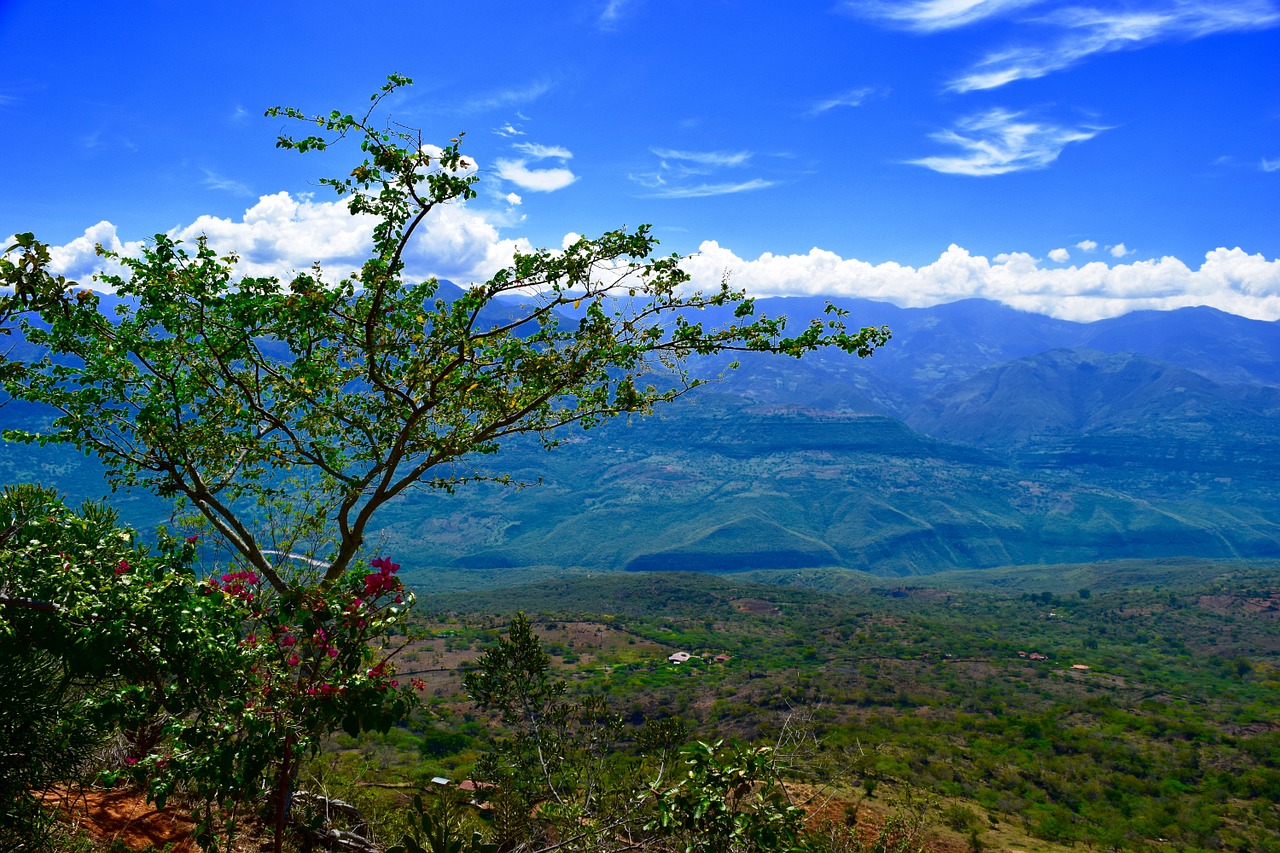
(284, 234)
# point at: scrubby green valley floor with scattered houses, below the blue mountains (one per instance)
(1172, 732)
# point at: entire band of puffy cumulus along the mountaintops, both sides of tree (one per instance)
(282, 234)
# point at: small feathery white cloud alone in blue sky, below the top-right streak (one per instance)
(999, 142)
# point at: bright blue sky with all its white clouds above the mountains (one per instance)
(1081, 159)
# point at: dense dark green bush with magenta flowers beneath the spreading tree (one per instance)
(220, 685)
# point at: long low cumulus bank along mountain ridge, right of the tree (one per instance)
(1229, 280)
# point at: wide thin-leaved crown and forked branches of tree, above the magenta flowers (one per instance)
(289, 413)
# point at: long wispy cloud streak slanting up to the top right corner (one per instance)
(1082, 33)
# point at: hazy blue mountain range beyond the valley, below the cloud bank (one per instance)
(979, 437)
